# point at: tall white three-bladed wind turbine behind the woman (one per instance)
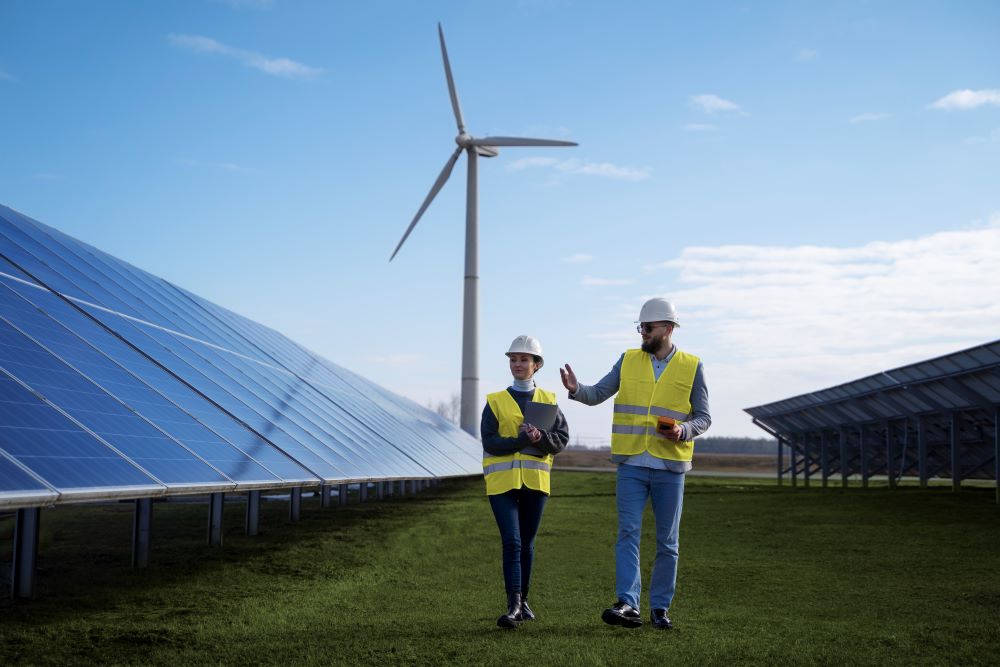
(485, 147)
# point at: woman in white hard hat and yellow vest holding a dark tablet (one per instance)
(517, 459)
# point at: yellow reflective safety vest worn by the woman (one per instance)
(512, 471)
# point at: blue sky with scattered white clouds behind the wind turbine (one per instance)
(815, 185)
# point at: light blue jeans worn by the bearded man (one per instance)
(636, 484)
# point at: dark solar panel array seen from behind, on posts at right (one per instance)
(933, 418)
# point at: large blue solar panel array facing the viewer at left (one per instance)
(117, 383)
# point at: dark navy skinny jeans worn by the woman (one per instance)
(518, 514)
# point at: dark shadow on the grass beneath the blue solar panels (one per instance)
(84, 558)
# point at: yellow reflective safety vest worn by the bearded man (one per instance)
(641, 399)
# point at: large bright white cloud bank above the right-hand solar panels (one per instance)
(847, 304)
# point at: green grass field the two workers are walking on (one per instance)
(767, 575)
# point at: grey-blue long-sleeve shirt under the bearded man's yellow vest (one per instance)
(699, 422)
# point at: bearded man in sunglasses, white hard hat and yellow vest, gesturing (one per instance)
(661, 405)
